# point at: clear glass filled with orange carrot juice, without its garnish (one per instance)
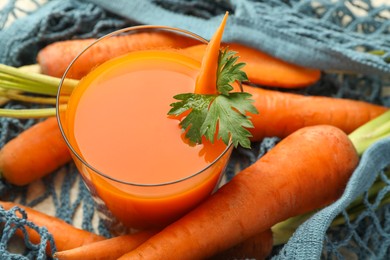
(134, 158)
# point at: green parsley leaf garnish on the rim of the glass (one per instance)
(222, 115)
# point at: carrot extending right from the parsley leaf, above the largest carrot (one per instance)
(281, 113)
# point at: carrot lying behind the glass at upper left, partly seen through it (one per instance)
(56, 57)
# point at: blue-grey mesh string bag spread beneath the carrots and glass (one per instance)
(348, 40)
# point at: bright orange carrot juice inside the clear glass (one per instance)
(117, 122)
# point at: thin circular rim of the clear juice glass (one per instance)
(79, 157)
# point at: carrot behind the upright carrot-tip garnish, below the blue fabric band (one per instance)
(263, 69)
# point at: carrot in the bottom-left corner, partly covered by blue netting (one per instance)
(65, 235)
